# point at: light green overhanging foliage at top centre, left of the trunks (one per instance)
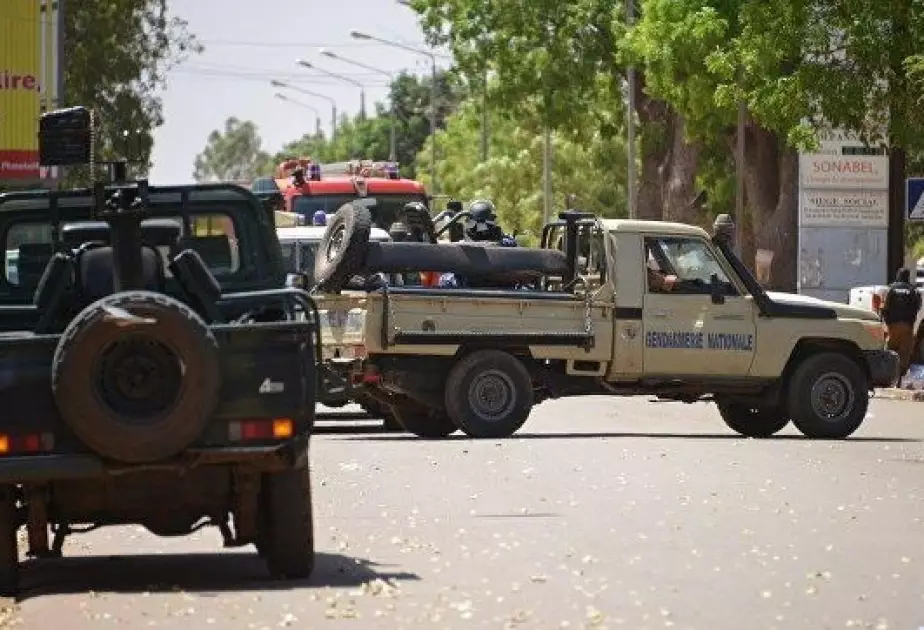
(548, 56)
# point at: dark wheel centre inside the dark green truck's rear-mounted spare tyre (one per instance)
(139, 378)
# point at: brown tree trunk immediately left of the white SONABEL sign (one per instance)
(771, 186)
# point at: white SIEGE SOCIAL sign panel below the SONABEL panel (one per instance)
(860, 208)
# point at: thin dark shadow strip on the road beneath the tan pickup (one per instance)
(399, 437)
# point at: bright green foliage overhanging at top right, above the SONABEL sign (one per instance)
(795, 63)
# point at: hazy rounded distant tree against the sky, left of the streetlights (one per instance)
(233, 154)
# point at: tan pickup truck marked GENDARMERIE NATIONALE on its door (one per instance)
(602, 307)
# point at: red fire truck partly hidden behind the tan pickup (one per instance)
(308, 187)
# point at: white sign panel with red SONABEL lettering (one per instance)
(844, 171)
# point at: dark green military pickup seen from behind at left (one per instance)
(153, 369)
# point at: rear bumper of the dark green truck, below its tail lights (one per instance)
(49, 468)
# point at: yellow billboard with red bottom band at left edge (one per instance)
(29, 78)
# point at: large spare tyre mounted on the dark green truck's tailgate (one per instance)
(136, 376)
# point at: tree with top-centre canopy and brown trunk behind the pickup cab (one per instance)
(551, 59)
